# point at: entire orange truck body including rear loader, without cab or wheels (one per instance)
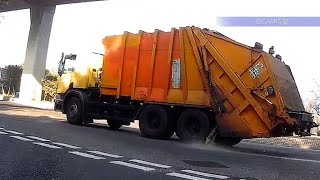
(178, 67)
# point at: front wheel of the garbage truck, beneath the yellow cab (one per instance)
(74, 111)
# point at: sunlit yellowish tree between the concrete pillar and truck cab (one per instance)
(49, 85)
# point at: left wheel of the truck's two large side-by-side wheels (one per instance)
(154, 122)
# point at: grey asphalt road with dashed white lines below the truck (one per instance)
(39, 144)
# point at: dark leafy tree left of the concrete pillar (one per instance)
(12, 81)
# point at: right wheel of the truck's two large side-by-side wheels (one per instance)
(193, 126)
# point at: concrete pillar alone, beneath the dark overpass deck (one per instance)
(36, 53)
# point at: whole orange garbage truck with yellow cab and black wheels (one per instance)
(194, 82)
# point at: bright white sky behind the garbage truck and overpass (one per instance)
(81, 27)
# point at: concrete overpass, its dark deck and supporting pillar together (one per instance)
(41, 18)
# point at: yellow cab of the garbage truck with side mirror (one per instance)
(77, 71)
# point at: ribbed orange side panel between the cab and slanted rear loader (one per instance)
(140, 68)
